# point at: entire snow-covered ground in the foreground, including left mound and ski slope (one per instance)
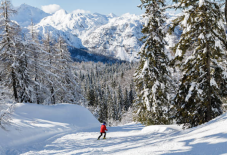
(71, 129)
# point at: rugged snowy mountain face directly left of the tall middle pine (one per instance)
(118, 38)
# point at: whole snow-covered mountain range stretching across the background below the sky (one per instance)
(108, 35)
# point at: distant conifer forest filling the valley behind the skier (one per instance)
(110, 94)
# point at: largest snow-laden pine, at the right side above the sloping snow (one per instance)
(204, 41)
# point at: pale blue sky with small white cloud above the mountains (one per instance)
(117, 7)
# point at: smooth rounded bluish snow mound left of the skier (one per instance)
(31, 122)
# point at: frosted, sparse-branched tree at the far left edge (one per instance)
(8, 52)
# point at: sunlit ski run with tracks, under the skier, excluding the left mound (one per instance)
(131, 139)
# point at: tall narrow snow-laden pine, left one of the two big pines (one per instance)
(152, 77)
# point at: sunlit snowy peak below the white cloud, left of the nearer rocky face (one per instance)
(72, 26)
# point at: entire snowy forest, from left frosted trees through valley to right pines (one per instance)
(185, 85)
